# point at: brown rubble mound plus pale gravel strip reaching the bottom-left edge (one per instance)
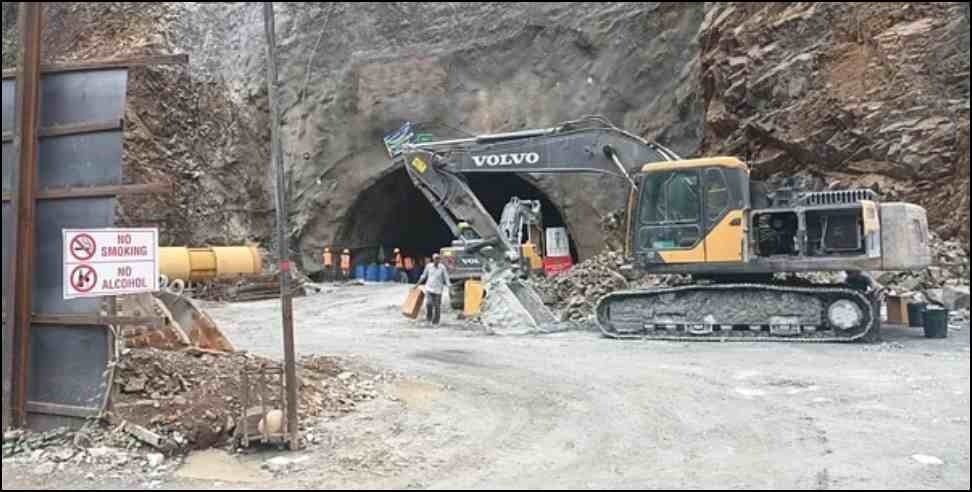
(166, 404)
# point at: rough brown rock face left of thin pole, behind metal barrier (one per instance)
(186, 127)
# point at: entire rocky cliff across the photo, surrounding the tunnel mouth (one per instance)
(869, 94)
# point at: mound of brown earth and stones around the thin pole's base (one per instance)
(193, 398)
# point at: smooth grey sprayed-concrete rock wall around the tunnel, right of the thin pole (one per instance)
(482, 67)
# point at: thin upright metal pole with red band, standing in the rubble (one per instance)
(283, 229)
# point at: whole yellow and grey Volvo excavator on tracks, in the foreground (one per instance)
(740, 242)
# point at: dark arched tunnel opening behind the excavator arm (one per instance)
(394, 214)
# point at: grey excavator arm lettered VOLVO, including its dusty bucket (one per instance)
(588, 146)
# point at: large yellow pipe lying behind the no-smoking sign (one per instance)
(202, 264)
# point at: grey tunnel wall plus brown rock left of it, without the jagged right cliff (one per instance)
(351, 72)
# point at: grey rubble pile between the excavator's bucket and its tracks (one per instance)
(576, 292)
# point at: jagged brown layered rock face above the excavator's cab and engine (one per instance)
(874, 95)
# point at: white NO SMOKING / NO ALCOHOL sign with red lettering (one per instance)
(110, 262)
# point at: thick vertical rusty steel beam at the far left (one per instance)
(26, 149)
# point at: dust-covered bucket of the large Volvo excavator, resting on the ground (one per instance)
(514, 308)
